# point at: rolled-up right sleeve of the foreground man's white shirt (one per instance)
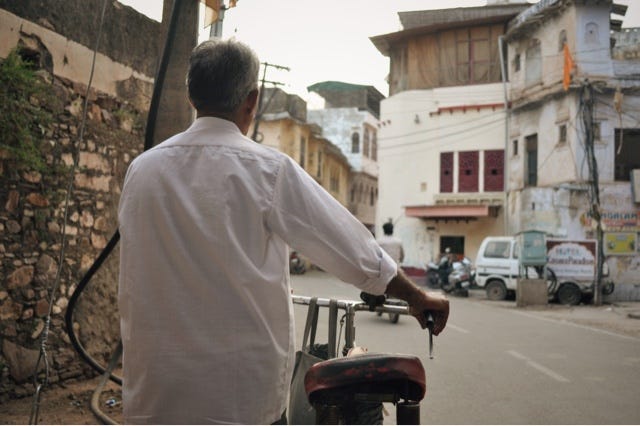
(308, 218)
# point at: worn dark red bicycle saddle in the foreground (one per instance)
(393, 376)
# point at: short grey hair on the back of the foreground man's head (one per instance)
(221, 75)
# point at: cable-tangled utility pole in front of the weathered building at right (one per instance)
(587, 101)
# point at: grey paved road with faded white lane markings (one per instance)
(505, 366)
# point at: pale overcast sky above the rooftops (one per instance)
(325, 40)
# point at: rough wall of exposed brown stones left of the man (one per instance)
(32, 215)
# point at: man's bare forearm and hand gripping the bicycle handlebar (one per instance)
(401, 287)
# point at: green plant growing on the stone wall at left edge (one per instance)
(23, 121)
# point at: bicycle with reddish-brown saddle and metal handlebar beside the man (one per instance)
(351, 389)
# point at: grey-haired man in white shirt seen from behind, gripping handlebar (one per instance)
(206, 218)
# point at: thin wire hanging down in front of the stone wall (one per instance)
(42, 356)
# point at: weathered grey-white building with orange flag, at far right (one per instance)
(574, 134)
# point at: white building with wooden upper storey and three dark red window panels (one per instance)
(441, 138)
